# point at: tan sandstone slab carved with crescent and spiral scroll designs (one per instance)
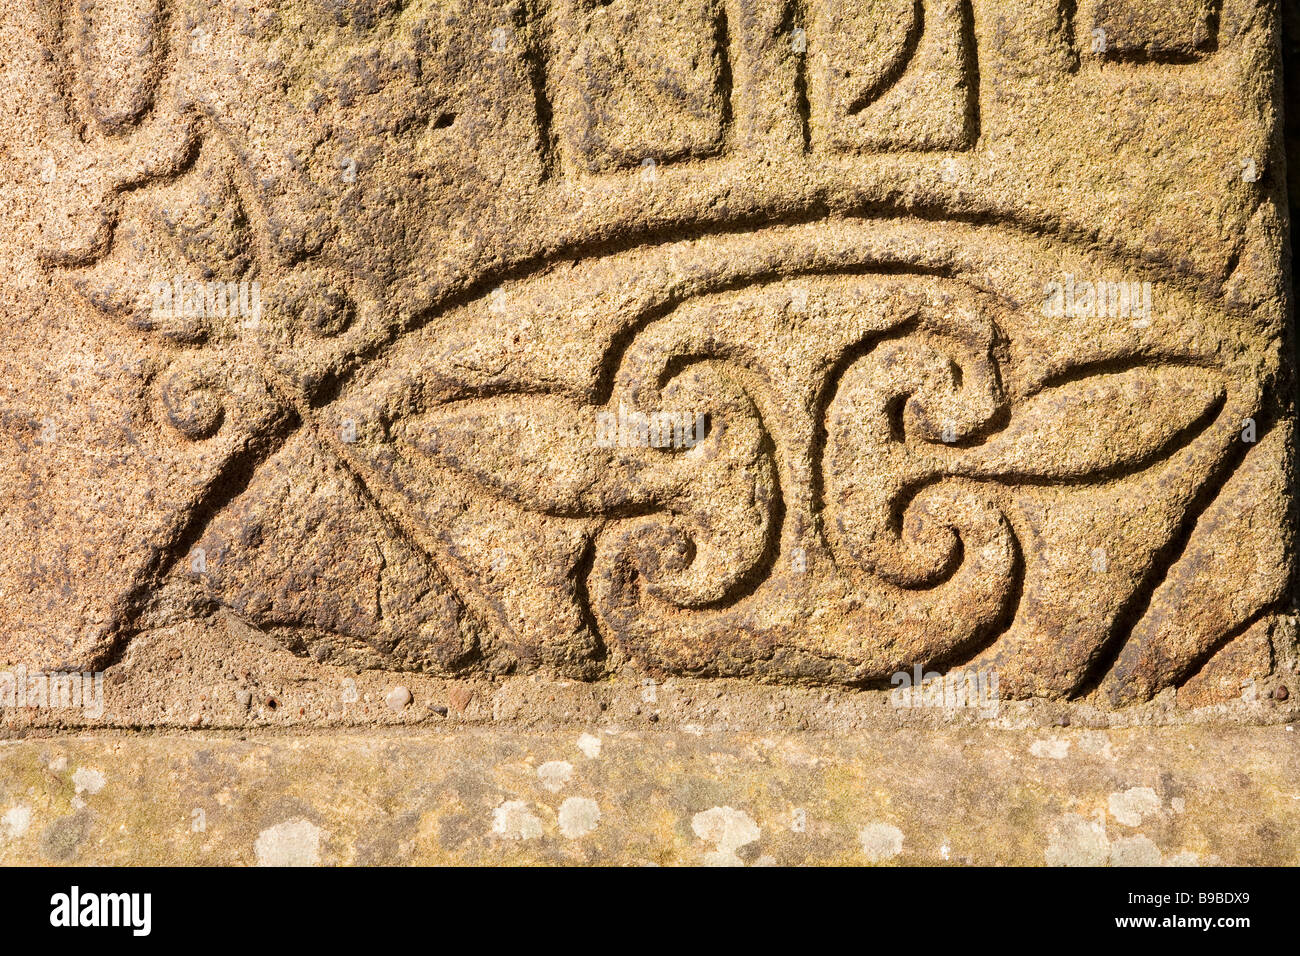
(791, 341)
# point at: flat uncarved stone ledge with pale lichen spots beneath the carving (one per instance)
(605, 795)
